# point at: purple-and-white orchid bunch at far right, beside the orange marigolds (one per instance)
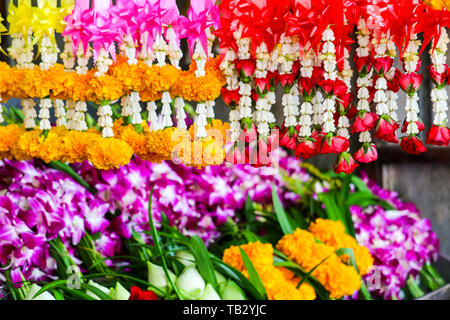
(400, 241)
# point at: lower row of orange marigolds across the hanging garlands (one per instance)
(60, 144)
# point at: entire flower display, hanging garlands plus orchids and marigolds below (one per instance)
(118, 182)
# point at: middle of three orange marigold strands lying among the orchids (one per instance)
(338, 278)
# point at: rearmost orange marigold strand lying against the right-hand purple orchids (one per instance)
(333, 234)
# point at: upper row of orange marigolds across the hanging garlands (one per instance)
(121, 79)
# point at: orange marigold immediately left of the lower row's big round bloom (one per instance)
(76, 144)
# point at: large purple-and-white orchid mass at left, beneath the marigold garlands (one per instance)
(39, 204)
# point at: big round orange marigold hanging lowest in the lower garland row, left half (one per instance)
(109, 153)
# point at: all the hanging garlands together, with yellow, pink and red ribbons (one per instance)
(304, 47)
